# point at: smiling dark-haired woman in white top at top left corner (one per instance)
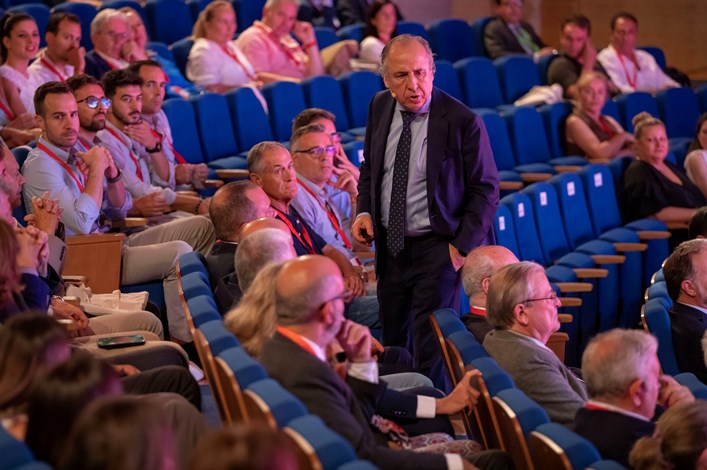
(20, 43)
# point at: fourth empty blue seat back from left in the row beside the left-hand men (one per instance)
(285, 101)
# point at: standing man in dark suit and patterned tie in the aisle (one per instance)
(428, 193)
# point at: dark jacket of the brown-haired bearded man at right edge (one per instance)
(688, 326)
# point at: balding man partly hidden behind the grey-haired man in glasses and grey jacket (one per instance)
(480, 264)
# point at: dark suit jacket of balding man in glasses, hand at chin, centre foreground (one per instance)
(346, 412)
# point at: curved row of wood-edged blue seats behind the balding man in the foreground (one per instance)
(243, 391)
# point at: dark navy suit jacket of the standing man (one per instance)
(462, 179)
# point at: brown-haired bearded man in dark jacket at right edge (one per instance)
(685, 273)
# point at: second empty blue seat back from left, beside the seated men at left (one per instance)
(215, 128)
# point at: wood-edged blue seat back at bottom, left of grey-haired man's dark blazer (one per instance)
(554, 446)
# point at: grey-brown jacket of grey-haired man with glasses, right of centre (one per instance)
(538, 372)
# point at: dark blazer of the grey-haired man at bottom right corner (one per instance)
(613, 434)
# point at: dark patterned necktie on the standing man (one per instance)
(398, 195)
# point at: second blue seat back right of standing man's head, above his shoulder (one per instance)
(479, 82)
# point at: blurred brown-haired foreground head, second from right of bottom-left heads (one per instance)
(121, 433)
